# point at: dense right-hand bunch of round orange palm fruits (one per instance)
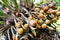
(47, 14)
